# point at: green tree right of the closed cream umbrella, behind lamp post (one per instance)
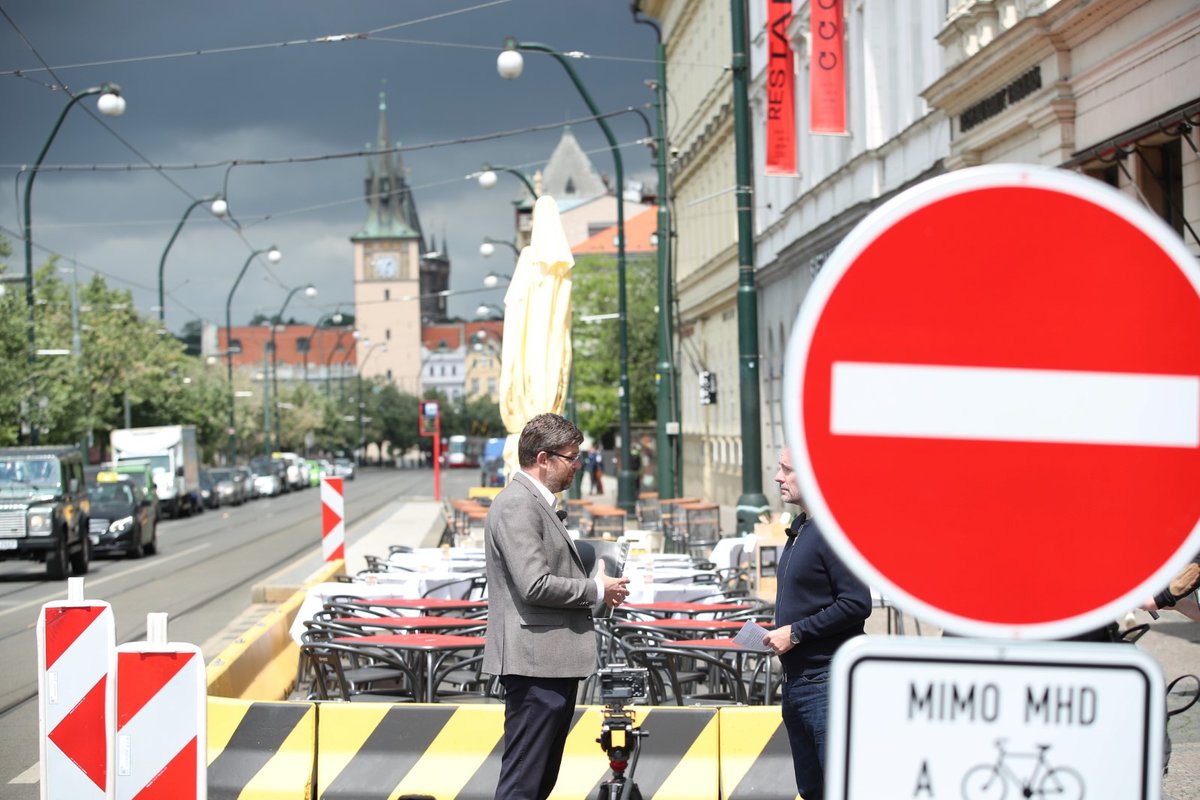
(597, 345)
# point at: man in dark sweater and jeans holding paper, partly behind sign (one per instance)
(819, 606)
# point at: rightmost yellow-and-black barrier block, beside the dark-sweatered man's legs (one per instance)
(755, 755)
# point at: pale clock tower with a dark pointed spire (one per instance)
(388, 270)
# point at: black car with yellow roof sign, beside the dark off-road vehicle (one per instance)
(123, 516)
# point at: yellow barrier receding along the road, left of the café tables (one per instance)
(262, 663)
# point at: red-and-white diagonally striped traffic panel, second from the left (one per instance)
(161, 719)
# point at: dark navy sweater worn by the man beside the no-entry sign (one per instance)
(819, 597)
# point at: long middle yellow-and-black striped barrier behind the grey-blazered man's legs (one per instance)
(453, 753)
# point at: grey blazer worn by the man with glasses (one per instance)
(541, 600)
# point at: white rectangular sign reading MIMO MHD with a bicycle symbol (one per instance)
(974, 720)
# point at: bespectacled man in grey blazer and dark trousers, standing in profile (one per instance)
(541, 640)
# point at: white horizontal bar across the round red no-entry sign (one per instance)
(1004, 405)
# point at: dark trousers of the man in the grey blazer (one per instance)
(538, 715)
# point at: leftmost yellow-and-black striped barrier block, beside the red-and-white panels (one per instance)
(261, 751)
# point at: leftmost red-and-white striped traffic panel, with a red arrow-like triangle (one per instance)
(75, 696)
